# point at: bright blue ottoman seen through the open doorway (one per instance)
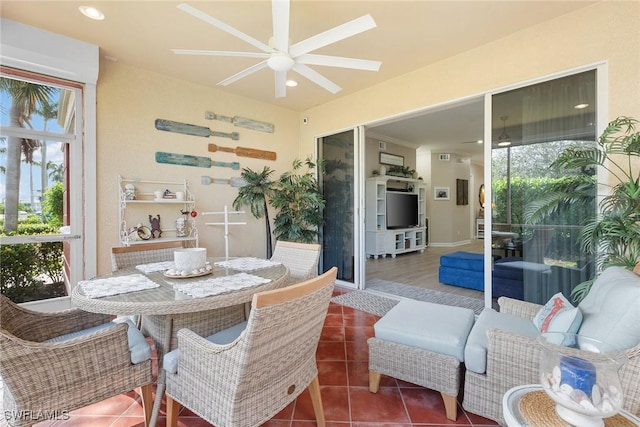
(464, 269)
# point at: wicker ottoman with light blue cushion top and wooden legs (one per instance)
(422, 343)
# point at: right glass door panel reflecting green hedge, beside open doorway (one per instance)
(534, 243)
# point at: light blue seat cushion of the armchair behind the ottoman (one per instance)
(475, 352)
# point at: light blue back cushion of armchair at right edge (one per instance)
(611, 309)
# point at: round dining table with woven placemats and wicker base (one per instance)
(166, 308)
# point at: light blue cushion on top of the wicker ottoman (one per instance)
(439, 328)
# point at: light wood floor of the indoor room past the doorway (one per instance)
(420, 269)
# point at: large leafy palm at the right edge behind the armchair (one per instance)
(613, 234)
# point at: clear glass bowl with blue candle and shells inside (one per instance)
(580, 374)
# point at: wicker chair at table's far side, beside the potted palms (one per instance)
(300, 258)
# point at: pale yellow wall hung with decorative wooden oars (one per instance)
(129, 101)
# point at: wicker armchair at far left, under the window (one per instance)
(53, 363)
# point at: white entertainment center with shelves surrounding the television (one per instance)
(381, 240)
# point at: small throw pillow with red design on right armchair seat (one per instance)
(558, 315)
